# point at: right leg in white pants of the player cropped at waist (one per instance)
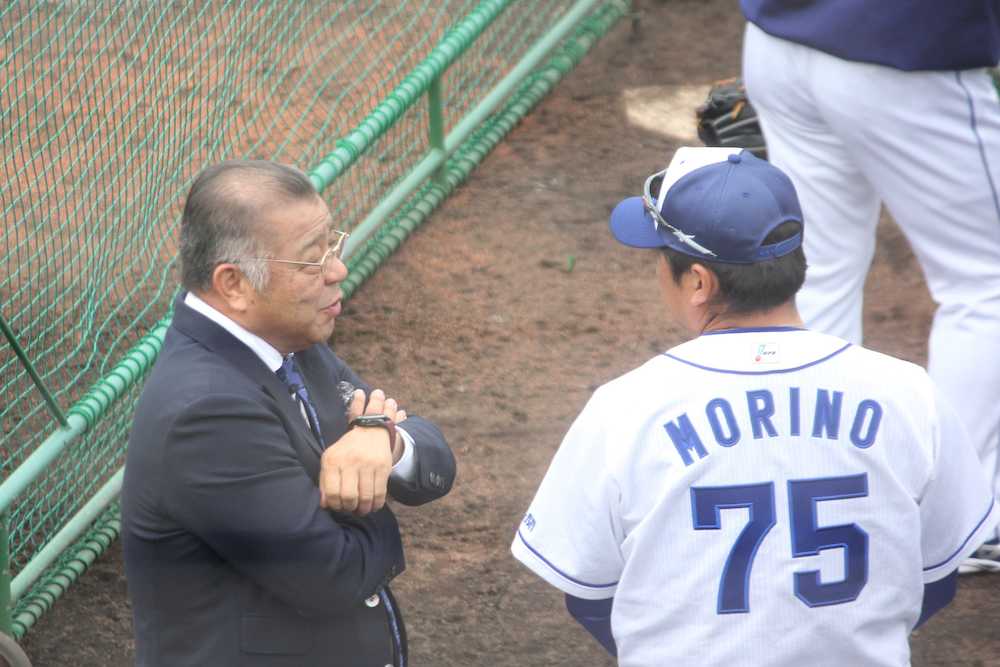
(939, 174)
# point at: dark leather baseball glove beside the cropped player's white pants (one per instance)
(727, 119)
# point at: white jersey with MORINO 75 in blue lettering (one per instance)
(760, 497)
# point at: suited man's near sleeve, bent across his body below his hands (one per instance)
(233, 479)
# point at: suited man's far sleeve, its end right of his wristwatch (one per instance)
(433, 458)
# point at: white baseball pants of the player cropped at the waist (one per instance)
(853, 136)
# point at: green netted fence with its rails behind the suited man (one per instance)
(109, 109)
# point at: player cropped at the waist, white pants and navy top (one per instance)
(868, 103)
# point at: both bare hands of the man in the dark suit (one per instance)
(354, 471)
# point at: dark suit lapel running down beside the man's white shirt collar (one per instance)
(221, 342)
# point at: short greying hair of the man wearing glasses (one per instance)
(222, 213)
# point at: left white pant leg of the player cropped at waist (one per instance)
(839, 204)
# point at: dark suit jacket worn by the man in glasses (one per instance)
(229, 557)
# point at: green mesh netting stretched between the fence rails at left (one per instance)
(109, 109)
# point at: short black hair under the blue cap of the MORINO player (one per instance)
(751, 288)
